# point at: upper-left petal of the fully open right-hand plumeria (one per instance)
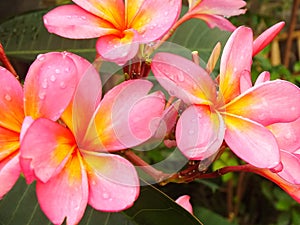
(183, 78)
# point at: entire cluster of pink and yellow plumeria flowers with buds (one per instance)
(60, 130)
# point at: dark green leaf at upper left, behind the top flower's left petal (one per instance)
(24, 37)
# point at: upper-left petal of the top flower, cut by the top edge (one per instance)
(111, 11)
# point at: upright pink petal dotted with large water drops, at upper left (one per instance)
(49, 85)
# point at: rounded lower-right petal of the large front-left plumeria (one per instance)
(113, 182)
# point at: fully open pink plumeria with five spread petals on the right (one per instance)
(224, 112)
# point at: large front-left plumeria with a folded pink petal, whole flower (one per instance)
(73, 161)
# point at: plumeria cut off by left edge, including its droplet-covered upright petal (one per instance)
(48, 89)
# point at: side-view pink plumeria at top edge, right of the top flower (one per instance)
(215, 12)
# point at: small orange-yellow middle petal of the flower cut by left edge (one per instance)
(9, 142)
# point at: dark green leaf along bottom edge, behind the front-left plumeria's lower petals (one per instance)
(20, 207)
